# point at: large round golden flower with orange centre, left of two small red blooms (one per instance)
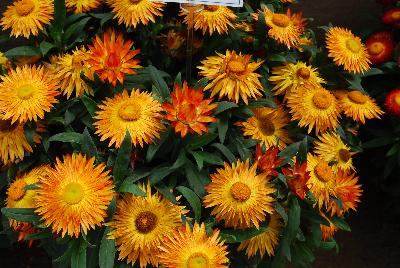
(239, 196)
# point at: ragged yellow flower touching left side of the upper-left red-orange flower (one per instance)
(67, 69)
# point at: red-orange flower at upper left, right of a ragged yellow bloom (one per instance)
(112, 58)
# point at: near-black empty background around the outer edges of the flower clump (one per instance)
(375, 237)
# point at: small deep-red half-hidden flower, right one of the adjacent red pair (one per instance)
(298, 178)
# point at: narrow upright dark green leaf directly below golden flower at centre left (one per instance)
(122, 161)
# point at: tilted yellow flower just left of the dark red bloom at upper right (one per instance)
(347, 50)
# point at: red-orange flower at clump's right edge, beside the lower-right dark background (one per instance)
(348, 191)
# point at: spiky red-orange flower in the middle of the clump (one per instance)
(189, 111)
